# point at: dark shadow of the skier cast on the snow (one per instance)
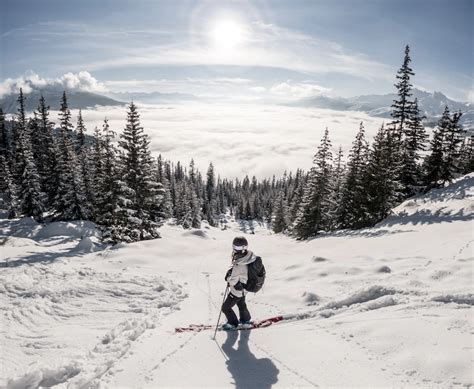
(246, 369)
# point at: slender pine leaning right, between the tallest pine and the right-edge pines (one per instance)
(434, 162)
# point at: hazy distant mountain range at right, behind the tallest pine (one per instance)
(431, 104)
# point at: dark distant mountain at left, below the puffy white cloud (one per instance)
(76, 99)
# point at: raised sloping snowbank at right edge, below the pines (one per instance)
(454, 202)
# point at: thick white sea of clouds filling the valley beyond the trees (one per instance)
(240, 139)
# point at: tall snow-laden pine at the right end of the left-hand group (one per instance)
(137, 172)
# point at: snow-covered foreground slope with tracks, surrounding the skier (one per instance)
(389, 306)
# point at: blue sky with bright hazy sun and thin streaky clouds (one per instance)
(247, 48)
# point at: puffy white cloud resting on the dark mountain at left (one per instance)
(30, 81)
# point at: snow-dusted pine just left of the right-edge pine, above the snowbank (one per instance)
(452, 141)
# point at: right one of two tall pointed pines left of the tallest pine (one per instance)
(351, 210)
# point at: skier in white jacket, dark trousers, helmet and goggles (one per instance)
(236, 278)
